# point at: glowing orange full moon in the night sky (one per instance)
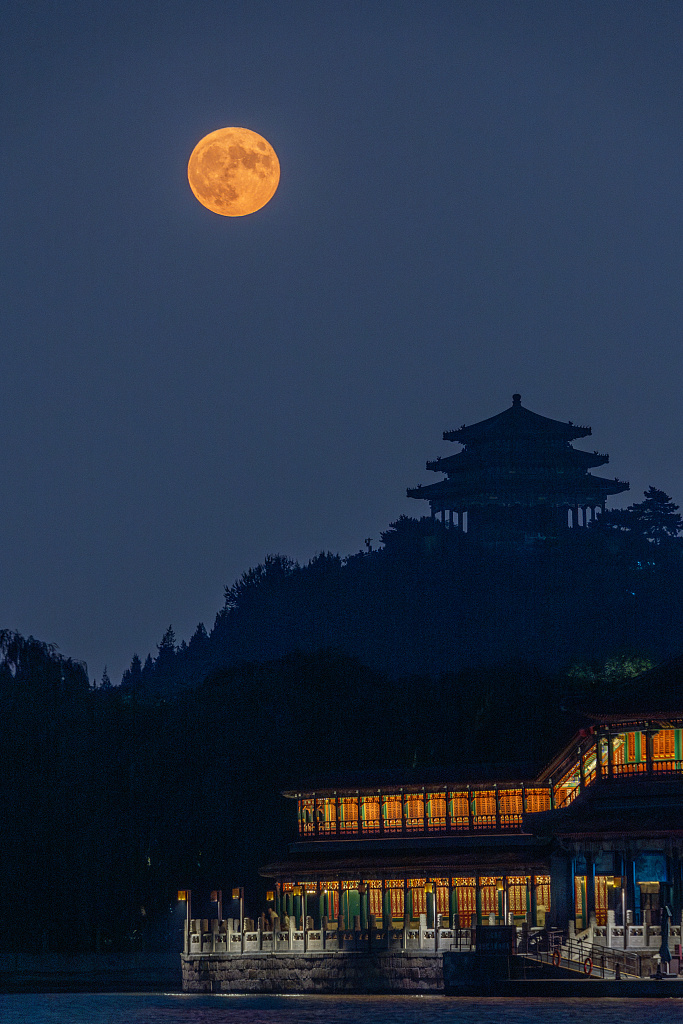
(234, 172)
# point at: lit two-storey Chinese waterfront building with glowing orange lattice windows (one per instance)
(596, 838)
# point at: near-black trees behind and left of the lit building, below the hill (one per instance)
(113, 799)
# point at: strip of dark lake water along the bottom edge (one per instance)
(181, 1009)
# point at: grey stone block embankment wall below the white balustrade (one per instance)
(327, 973)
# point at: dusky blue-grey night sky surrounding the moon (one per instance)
(477, 199)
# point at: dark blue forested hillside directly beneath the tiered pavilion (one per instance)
(434, 601)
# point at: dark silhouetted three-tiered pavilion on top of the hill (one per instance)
(518, 479)
